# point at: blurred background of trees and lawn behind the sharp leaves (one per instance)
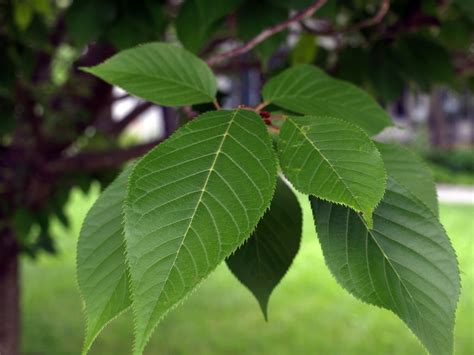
(64, 135)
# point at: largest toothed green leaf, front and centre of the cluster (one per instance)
(191, 202)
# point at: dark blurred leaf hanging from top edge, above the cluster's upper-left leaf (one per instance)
(197, 20)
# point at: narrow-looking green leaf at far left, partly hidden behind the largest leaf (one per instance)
(101, 267)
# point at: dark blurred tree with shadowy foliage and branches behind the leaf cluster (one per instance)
(56, 126)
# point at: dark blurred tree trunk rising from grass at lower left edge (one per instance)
(9, 294)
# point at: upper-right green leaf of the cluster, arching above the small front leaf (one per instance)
(308, 90)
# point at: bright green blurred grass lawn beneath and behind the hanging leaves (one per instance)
(308, 313)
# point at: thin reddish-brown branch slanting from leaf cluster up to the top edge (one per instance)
(268, 32)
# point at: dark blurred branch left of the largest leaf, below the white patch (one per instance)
(95, 161)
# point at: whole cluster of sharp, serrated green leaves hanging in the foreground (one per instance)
(217, 191)
